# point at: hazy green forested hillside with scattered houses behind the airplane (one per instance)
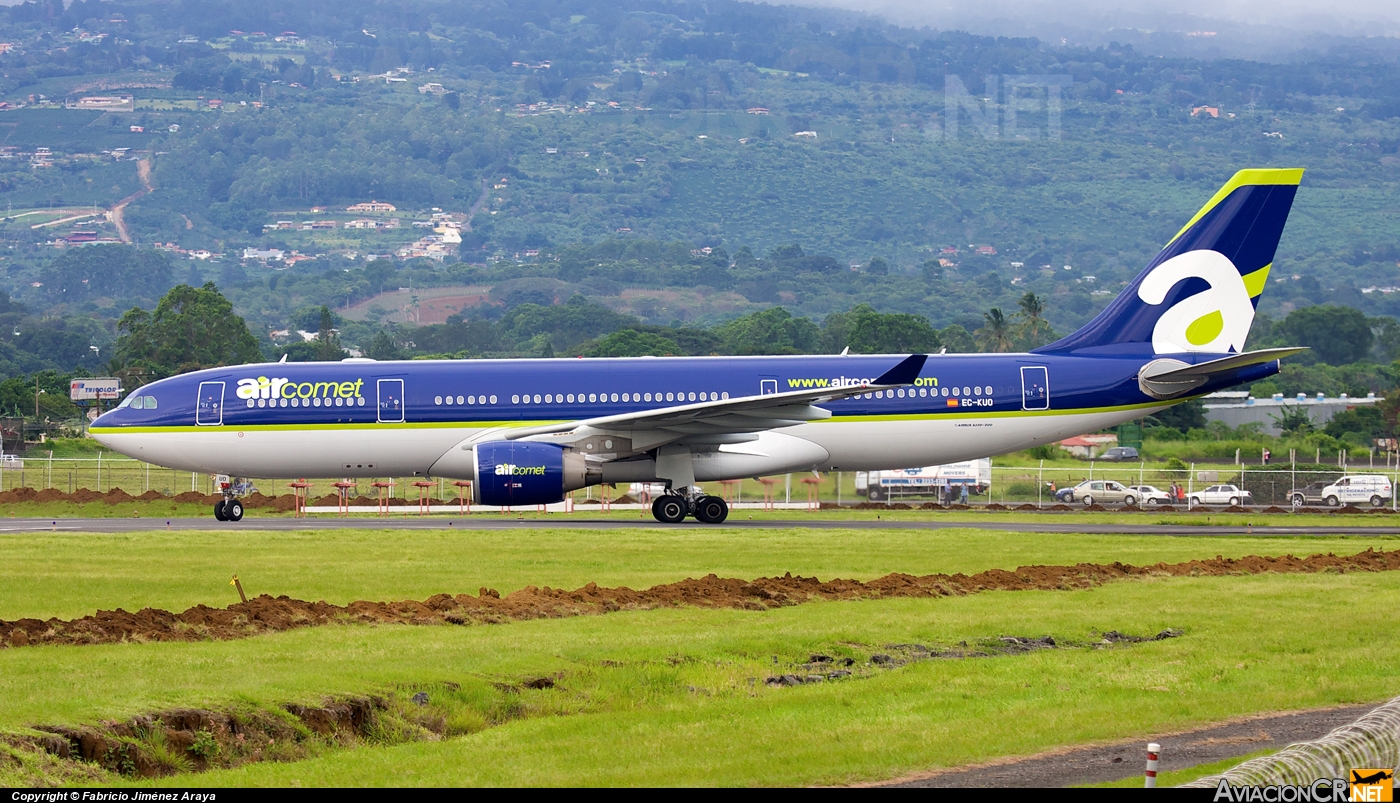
(654, 177)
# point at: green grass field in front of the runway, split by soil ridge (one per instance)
(671, 697)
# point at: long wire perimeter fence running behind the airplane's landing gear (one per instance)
(1007, 486)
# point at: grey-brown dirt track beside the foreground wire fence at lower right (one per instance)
(1104, 763)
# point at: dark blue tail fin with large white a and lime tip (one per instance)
(1200, 293)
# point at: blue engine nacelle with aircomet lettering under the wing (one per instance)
(526, 474)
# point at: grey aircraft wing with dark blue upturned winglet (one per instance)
(716, 422)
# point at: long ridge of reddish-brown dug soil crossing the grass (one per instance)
(269, 615)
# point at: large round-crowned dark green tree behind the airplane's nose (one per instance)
(191, 329)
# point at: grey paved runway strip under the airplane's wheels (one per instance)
(496, 523)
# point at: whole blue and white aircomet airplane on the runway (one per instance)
(531, 432)
